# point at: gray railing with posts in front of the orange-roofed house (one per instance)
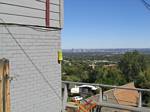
(101, 103)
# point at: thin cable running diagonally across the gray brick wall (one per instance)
(29, 58)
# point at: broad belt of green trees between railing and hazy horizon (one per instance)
(129, 67)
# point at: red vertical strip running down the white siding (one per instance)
(47, 13)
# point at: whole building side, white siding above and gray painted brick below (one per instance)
(30, 38)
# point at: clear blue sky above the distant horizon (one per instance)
(106, 24)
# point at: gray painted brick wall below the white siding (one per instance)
(29, 91)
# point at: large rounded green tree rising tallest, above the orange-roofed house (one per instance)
(131, 65)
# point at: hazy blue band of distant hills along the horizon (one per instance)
(114, 51)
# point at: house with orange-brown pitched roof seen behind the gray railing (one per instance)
(121, 97)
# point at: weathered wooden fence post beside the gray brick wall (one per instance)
(4, 86)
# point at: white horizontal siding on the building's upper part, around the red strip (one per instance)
(21, 12)
